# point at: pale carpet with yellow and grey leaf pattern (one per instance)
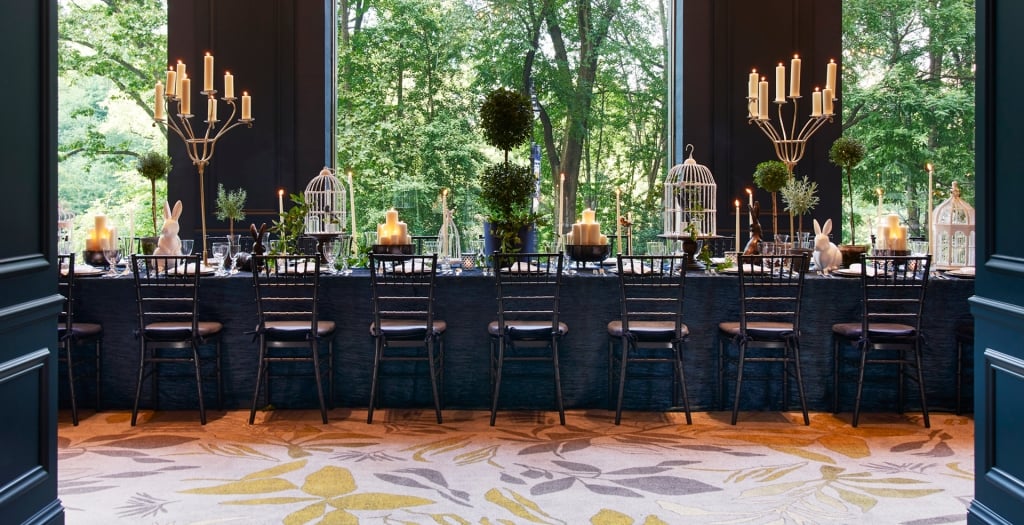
(406, 469)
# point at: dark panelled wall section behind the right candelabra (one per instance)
(723, 41)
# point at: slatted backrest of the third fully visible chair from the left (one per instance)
(403, 289)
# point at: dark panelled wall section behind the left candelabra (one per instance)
(276, 51)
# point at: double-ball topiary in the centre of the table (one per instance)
(507, 189)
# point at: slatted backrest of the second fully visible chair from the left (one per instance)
(287, 289)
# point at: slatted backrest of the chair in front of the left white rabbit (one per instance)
(167, 290)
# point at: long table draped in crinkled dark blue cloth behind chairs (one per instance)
(467, 302)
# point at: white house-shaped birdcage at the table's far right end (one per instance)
(953, 233)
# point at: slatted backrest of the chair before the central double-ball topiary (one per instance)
(529, 287)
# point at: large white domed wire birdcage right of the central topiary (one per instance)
(690, 198)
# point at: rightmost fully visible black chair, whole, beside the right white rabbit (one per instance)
(892, 305)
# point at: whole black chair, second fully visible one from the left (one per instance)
(287, 309)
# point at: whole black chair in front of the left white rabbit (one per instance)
(167, 301)
